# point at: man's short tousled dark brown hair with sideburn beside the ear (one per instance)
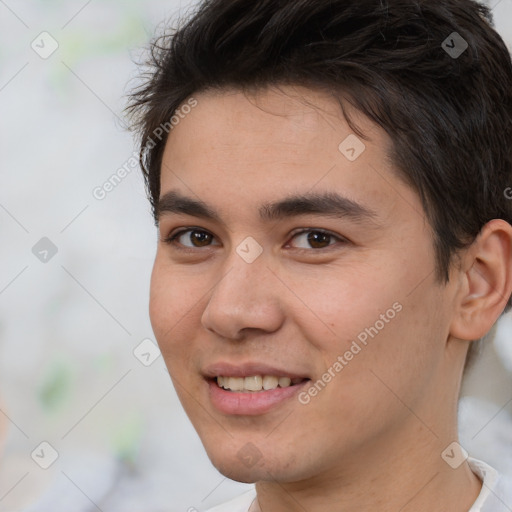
(403, 63)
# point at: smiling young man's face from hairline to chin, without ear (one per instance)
(334, 292)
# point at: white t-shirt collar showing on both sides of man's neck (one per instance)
(495, 496)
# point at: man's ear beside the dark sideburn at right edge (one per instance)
(486, 283)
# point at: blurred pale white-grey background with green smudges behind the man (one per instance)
(89, 419)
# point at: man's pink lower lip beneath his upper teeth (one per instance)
(250, 403)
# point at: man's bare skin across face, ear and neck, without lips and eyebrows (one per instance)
(372, 438)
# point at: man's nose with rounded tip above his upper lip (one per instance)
(245, 299)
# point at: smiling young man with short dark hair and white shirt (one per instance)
(329, 180)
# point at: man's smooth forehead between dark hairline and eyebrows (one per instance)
(271, 143)
